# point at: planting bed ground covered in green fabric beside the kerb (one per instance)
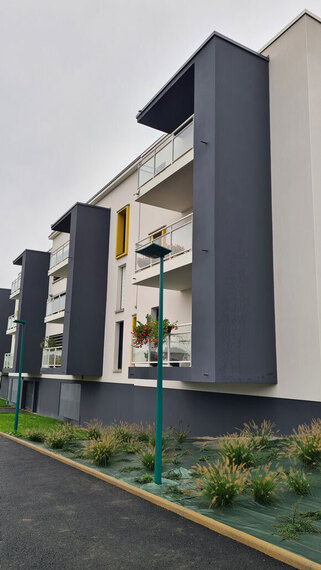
(245, 514)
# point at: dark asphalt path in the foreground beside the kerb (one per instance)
(56, 517)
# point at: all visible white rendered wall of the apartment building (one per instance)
(295, 115)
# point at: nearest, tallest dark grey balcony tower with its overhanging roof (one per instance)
(233, 331)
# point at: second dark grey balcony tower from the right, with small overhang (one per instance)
(84, 322)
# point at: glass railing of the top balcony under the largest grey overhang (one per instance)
(170, 150)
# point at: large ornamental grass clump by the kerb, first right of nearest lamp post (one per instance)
(220, 482)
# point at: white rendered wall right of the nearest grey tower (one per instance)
(295, 115)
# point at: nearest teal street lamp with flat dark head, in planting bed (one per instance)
(155, 251)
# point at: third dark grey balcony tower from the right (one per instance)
(32, 308)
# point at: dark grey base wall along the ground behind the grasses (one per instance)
(207, 413)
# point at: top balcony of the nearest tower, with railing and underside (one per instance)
(165, 177)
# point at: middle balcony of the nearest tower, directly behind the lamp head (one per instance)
(178, 237)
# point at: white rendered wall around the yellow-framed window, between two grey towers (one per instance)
(139, 300)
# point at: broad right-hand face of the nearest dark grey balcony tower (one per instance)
(244, 297)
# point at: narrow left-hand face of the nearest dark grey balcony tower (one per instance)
(203, 269)
